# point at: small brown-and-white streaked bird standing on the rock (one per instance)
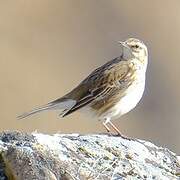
(110, 91)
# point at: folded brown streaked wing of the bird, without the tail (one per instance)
(101, 83)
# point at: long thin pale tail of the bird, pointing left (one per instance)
(62, 105)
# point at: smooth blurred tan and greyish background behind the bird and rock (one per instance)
(48, 46)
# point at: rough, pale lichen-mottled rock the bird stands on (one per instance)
(73, 156)
